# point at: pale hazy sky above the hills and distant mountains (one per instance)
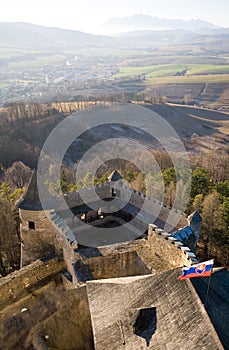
(88, 15)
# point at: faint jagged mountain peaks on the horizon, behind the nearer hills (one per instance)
(139, 22)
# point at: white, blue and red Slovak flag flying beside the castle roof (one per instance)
(203, 269)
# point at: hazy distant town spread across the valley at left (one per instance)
(65, 80)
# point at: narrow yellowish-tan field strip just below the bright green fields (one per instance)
(188, 79)
